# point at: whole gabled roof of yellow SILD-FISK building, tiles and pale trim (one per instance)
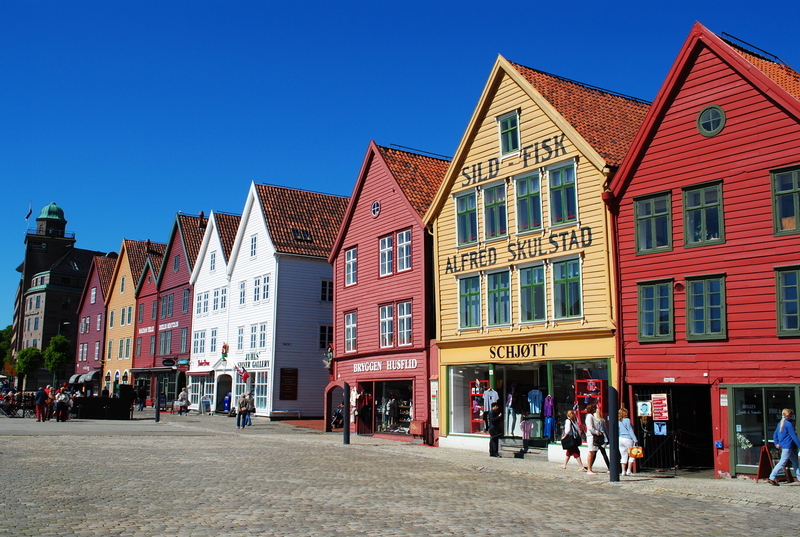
(601, 124)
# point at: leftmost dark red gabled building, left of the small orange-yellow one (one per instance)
(89, 355)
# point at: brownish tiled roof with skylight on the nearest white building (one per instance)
(288, 209)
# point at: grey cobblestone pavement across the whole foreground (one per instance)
(201, 476)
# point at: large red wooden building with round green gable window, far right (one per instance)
(708, 240)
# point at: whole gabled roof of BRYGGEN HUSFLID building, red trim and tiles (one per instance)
(418, 177)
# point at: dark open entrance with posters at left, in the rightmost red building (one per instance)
(688, 442)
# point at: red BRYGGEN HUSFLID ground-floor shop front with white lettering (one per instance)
(389, 395)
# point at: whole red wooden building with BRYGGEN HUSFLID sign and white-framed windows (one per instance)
(383, 344)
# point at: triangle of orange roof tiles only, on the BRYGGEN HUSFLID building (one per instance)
(418, 175)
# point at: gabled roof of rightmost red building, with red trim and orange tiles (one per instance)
(777, 82)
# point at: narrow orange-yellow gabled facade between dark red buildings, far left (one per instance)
(120, 326)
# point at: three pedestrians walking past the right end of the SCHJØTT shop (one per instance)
(597, 437)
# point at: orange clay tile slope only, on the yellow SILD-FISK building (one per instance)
(606, 120)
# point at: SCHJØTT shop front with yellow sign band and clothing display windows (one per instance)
(535, 384)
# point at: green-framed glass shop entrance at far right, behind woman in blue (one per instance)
(756, 414)
